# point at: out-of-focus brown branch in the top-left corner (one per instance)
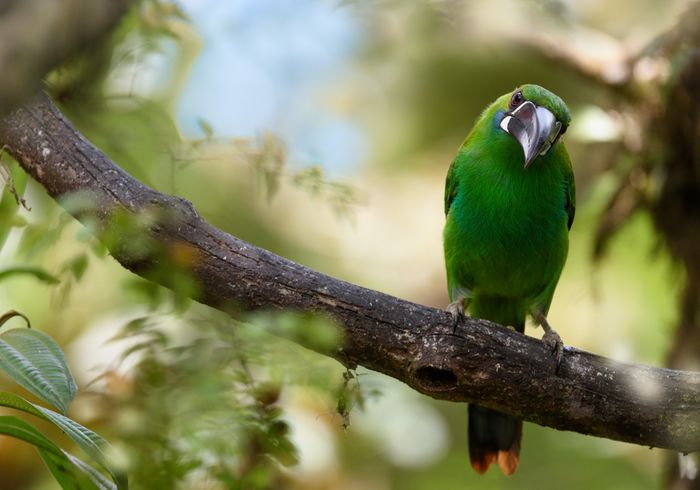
(37, 35)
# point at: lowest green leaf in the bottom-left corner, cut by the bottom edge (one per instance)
(70, 472)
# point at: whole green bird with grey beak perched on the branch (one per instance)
(509, 204)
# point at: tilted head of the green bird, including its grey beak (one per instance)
(535, 117)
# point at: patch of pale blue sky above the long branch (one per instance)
(265, 66)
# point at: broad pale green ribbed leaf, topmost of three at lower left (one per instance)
(34, 361)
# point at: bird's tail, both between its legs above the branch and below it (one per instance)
(494, 437)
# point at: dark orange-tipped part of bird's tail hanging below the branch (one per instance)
(494, 437)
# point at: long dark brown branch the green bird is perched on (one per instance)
(480, 362)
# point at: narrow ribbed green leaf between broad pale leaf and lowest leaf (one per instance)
(90, 442)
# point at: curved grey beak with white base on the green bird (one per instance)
(535, 128)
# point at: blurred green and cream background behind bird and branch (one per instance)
(322, 130)
